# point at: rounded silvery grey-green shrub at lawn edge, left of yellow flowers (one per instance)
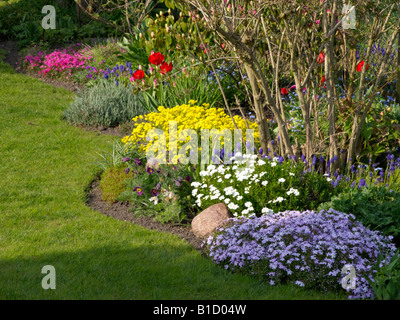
(104, 104)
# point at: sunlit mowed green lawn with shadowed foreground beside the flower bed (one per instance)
(45, 168)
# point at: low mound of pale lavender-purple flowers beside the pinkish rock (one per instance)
(308, 249)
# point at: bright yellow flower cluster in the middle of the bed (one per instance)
(187, 116)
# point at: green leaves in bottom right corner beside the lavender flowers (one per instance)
(386, 284)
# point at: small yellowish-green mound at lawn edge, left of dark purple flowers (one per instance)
(112, 183)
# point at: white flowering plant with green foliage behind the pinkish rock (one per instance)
(253, 186)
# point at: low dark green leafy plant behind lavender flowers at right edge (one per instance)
(376, 207)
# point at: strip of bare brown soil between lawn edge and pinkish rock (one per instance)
(121, 211)
